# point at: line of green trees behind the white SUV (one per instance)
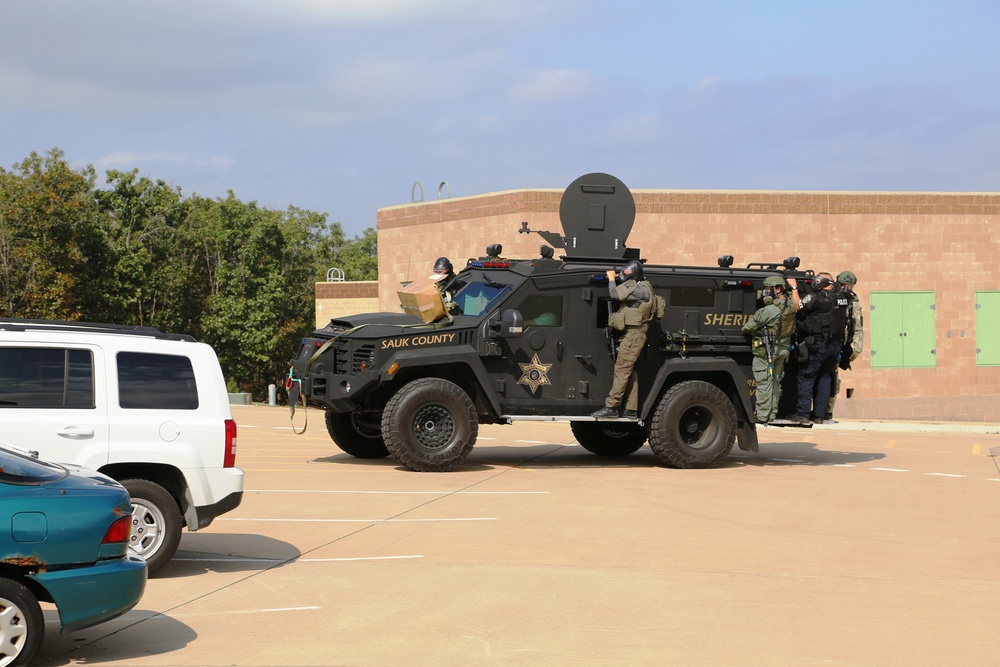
(136, 251)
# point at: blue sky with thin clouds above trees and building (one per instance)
(340, 107)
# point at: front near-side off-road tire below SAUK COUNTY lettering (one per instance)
(430, 425)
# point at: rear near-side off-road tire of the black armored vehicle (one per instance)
(693, 426)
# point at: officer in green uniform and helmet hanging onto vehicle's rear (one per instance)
(771, 329)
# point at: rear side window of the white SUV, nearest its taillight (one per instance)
(156, 382)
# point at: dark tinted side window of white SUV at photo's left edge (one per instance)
(33, 377)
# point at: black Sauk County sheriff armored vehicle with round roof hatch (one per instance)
(528, 339)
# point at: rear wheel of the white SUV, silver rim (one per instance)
(156, 523)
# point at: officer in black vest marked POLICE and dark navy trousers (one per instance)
(821, 326)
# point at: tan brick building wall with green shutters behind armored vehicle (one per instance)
(948, 243)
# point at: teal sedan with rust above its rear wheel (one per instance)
(64, 535)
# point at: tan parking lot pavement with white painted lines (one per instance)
(830, 545)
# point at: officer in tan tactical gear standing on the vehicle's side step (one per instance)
(634, 296)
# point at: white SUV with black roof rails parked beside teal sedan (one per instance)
(147, 408)
